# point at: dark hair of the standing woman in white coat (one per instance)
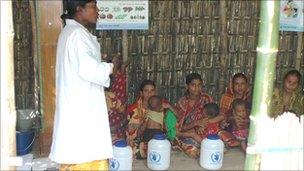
(70, 7)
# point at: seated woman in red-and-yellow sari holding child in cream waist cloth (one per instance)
(136, 114)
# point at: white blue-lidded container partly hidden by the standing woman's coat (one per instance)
(122, 156)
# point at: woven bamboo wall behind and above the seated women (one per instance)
(184, 37)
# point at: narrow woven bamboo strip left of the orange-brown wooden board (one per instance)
(23, 60)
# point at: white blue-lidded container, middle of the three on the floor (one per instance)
(159, 150)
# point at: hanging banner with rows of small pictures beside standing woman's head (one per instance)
(123, 15)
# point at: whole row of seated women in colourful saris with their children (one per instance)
(197, 114)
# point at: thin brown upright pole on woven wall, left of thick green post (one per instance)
(223, 44)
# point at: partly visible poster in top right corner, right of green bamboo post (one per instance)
(291, 15)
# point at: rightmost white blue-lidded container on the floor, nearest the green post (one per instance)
(212, 150)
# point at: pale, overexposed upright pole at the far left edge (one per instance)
(8, 110)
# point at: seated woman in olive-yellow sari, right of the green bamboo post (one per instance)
(288, 98)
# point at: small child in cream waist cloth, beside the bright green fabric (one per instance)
(154, 119)
